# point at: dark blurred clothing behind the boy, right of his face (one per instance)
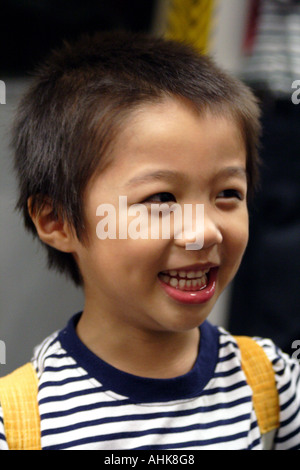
(266, 292)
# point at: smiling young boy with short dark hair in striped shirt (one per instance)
(122, 117)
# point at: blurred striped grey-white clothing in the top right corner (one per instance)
(274, 63)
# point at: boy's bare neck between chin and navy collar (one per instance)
(145, 353)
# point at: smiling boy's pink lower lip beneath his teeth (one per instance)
(193, 297)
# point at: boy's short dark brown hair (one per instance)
(81, 96)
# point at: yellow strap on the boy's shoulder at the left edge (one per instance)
(18, 397)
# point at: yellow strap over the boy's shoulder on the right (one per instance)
(261, 378)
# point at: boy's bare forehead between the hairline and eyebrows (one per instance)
(171, 128)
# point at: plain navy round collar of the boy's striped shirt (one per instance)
(142, 389)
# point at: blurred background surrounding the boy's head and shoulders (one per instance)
(257, 40)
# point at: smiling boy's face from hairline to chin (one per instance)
(167, 153)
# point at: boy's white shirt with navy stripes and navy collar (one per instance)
(85, 403)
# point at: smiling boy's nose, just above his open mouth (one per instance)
(201, 229)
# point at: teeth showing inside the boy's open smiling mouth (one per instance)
(185, 280)
